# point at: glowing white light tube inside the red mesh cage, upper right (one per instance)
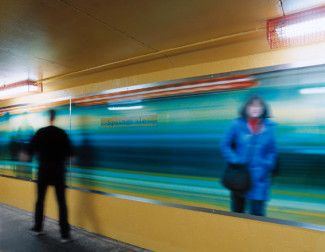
(304, 28)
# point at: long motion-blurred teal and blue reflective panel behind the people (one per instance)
(168, 149)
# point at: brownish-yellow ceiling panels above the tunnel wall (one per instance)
(45, 38)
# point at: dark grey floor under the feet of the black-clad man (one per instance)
(15, 237)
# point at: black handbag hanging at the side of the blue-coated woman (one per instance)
(237, 178)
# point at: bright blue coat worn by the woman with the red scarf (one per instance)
(257, 150)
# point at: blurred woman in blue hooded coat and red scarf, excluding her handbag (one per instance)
(250, 141)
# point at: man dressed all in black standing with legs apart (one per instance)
(53, 148)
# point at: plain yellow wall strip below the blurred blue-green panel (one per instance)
(161, 228)
